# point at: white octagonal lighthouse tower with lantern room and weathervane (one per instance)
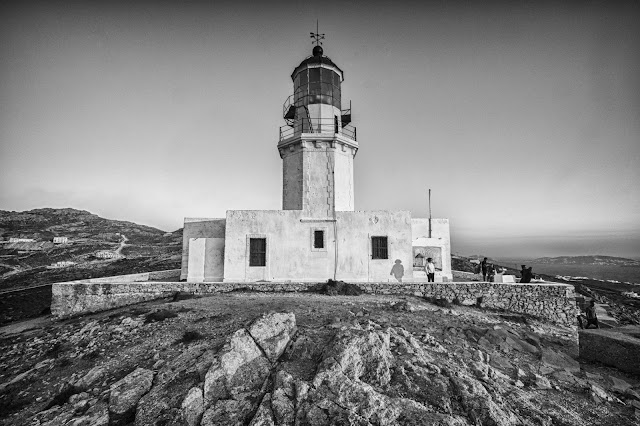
(318, 144)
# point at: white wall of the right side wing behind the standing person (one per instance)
(440, 237)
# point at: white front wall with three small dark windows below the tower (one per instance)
(290, 252)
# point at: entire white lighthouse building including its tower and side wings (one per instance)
(318, 234)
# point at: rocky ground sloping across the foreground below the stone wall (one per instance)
(364, 360)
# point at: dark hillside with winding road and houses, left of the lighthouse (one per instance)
(137, 248)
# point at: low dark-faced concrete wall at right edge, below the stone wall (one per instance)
(617, 347)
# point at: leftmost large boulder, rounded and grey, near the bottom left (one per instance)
(125, 395)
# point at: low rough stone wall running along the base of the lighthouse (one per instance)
(551, 301)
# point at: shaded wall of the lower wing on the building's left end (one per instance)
(207, 262)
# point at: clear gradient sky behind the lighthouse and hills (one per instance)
(523, 119)
